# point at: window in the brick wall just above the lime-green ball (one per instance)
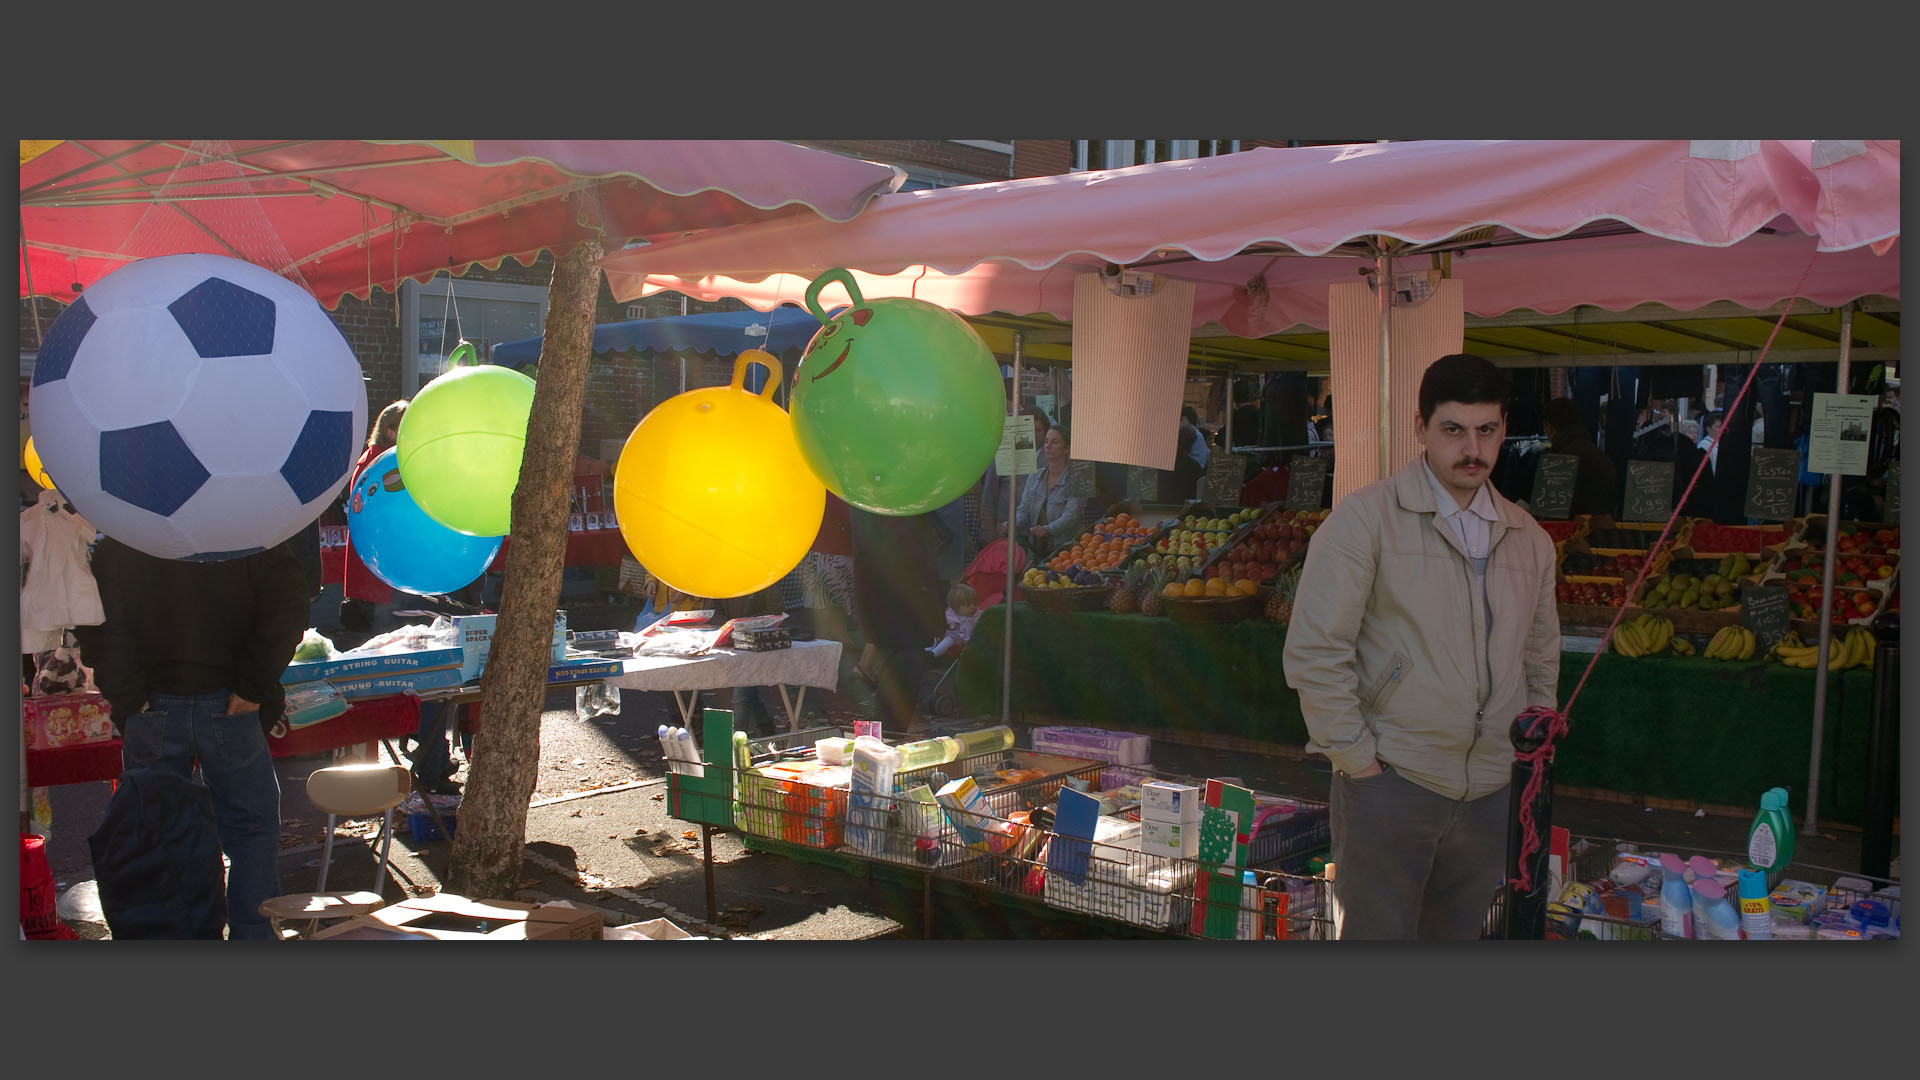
(435, 320)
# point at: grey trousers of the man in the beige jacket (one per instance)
(1412, 864)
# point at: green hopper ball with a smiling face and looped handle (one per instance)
(898, 405)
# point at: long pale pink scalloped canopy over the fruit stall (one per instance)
(1681, 224)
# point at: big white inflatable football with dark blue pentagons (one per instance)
(197, 406)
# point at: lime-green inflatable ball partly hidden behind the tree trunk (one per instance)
(460, 447)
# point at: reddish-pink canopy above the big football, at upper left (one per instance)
(352, 214)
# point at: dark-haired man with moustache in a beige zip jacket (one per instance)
(1424, 627)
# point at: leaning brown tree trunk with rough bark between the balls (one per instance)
(492, 837)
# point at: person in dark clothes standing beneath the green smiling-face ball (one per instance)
(900, 604)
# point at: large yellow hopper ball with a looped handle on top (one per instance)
(711, 489)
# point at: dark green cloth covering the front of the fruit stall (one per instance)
(1664, 727)
